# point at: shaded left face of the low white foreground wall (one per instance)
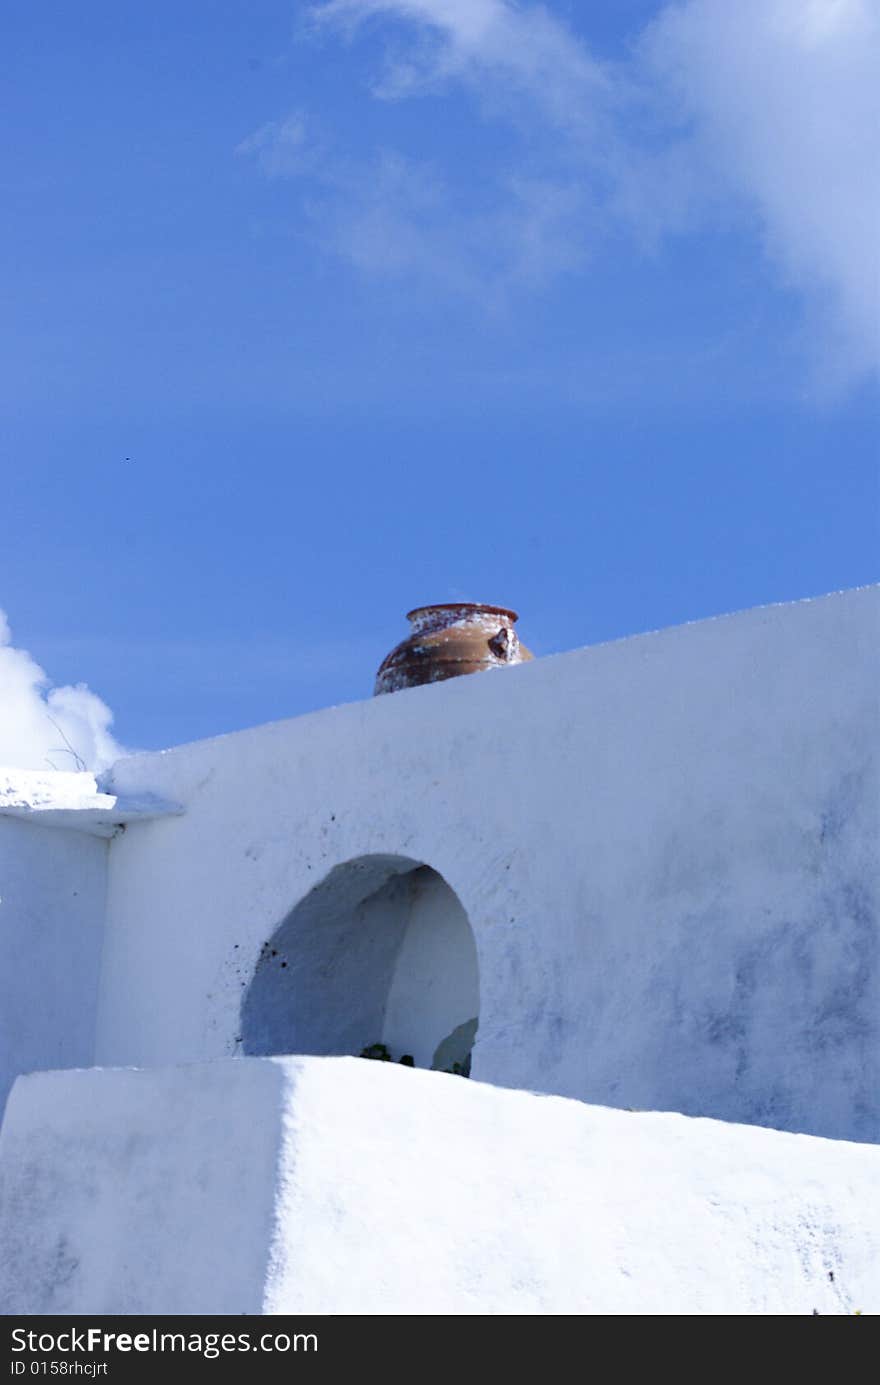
(141, 1192)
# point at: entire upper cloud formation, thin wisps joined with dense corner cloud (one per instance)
(766, 111)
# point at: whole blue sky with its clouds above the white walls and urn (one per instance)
(314, 314)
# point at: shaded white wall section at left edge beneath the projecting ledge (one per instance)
(53, 886)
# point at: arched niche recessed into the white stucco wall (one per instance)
(379, 952)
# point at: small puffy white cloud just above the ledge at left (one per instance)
(44, 726)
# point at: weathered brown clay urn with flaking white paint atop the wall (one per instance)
(450, 641)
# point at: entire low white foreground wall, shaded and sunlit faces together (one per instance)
(342, 1186)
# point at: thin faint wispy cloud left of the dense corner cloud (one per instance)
(394, 215)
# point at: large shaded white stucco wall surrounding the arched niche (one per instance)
(666, 848)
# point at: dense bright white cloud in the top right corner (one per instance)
(784, 100)
